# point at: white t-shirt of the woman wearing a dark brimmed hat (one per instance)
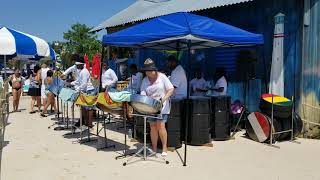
(158, 90)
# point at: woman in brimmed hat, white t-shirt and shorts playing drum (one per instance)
(157, 86)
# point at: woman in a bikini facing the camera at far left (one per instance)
(16, 83)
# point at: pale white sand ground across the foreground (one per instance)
(35, 152)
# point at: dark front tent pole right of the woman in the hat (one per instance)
(187, 108)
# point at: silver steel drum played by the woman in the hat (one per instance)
(145, 104)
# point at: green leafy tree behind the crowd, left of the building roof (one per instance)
(80, 41)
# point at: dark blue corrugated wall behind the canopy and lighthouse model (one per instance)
(256, 16)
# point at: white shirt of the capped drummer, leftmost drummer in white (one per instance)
(83, 81)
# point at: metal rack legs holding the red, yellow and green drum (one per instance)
(272, 134)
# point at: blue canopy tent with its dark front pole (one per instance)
(182, 31)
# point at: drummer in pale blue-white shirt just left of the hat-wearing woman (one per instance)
(135, 79)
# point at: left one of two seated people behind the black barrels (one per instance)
(198, 85)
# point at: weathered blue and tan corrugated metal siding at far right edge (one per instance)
(310, 90)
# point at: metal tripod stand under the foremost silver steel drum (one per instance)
(144, 149)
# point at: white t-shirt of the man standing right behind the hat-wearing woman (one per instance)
(179, 80)
